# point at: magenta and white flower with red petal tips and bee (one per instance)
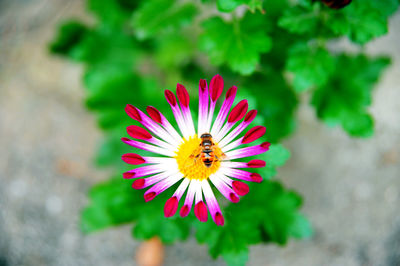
(187, 159)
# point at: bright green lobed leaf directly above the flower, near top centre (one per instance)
(238, 43)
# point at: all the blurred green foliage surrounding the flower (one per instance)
(274, 51)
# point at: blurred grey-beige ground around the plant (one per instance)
(351, 187)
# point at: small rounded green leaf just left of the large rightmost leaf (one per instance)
(311, 66)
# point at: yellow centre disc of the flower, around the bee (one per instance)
(190, 161)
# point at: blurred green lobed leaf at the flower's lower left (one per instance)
(115, 202)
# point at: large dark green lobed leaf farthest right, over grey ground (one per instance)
(346, 96)
